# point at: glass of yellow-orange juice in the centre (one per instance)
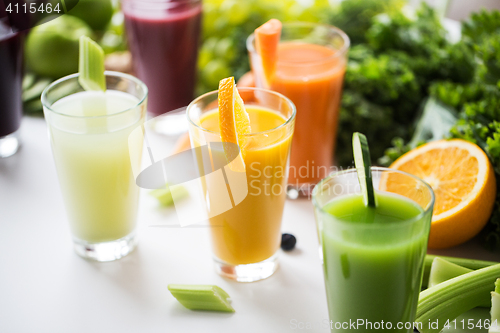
(246, 236)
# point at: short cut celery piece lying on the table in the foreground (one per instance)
(201, 297)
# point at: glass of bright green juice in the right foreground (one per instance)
(373, 257)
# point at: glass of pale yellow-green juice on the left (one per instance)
(89, 133)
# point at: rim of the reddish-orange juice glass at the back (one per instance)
(340, 52)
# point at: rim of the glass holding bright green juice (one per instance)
(374, 225)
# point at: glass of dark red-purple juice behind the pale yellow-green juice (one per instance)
(163, 36)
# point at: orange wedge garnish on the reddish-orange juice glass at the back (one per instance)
(267, 38)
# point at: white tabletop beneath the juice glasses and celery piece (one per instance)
(46, 287)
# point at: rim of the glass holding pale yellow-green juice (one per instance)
(106, 73)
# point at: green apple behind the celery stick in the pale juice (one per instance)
(52, 48)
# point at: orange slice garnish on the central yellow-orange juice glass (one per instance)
(234, 121)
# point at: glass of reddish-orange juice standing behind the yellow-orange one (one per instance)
(310, 67)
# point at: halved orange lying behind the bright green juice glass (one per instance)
(463, 181)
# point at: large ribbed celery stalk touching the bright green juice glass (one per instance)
(449, 299)
